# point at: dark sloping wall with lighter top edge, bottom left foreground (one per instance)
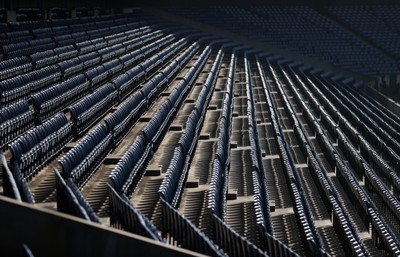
(49, 233)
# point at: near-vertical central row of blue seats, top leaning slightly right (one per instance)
(218, 183)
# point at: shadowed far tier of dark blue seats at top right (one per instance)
(313, 33)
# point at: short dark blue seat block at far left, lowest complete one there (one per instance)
(34, 148)
